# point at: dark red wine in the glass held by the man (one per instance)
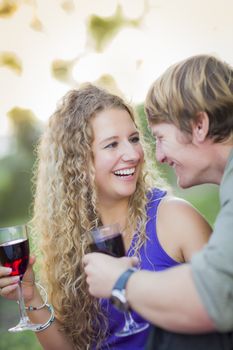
(112, 246)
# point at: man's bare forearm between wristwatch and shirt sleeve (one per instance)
(169, 299)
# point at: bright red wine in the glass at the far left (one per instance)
(15, 254)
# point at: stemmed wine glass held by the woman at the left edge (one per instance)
(14, 253)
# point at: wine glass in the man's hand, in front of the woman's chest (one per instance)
(108, 239)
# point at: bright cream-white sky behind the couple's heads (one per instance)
(169, 31)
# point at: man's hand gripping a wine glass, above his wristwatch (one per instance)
(103, 271)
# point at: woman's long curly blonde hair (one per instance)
(66, 208)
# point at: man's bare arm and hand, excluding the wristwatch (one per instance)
(168, 298)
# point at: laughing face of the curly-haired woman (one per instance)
(118, 154)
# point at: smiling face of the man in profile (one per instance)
(178, 150)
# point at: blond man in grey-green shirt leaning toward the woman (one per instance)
(190, 112)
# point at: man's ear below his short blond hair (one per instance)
(200, 127)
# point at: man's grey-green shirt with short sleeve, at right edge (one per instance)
(212, 267)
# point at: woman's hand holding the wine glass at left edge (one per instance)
(9, 284)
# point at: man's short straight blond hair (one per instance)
(199, 83)
